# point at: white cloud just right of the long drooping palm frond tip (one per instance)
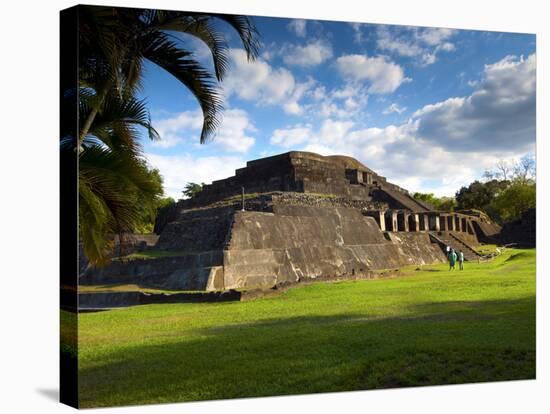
(265, 85)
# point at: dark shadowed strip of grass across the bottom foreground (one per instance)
(439, 343)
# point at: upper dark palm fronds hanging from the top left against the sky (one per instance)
(115, 42)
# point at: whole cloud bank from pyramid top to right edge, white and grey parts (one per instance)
(445, 145)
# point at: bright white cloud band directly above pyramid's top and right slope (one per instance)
(395, 152)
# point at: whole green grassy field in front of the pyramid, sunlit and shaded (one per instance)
(425, 327)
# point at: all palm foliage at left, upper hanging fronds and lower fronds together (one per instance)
(113, 44)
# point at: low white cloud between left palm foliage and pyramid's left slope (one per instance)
(178, 170)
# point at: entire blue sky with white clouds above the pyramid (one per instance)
(429, 108)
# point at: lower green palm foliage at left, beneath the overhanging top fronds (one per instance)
(115, 184)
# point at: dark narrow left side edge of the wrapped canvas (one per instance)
(68, 207)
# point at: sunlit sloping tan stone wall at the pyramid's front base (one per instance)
(296, 243)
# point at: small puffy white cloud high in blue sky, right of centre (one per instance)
(383, 75)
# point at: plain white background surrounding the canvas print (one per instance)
(29, 73)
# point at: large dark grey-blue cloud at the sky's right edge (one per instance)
(499, 114)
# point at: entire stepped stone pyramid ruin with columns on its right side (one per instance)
(293, 217)
